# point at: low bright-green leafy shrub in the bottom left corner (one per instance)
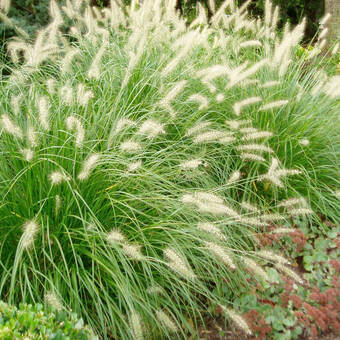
(33, 322)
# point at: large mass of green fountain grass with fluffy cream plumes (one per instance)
(140, 158)
